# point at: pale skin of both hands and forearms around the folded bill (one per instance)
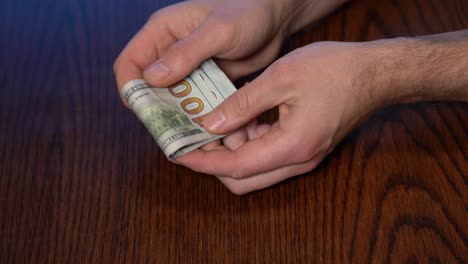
(322, 90)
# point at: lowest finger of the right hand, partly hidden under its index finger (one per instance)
(267, 179)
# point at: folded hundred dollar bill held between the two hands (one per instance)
(174, 115)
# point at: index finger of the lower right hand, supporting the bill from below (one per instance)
(267, 153)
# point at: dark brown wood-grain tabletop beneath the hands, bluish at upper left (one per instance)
(81, 180)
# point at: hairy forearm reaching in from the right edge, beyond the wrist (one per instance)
(428, 68)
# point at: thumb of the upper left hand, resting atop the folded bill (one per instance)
(185, 55)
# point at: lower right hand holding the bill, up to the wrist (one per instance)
(322, 90)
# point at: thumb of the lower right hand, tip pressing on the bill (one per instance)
(245, 104)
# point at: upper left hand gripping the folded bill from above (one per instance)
(243, 35)
